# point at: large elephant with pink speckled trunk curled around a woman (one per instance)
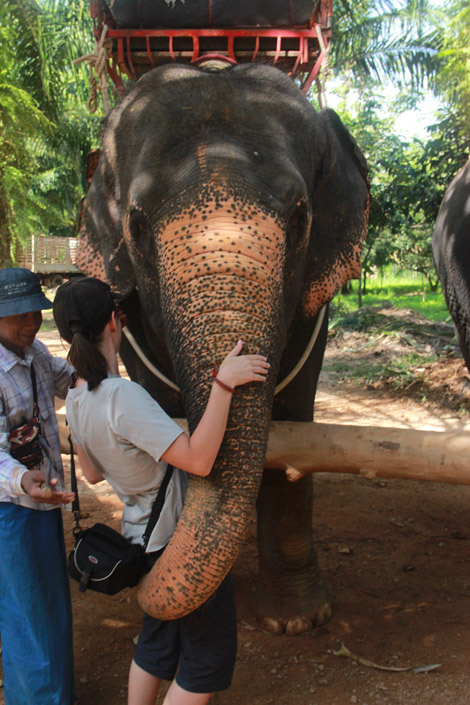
(225, 207)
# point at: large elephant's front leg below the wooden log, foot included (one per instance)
(292, 594)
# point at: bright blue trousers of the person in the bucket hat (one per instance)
(35, 608)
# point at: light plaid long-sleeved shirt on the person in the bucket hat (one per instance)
(16, 407)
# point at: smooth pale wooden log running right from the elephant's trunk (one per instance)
(369, 451)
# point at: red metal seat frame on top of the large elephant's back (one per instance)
(300, 51)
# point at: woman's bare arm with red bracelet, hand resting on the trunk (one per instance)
(197, 453)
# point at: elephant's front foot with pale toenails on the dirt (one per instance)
(293, 612)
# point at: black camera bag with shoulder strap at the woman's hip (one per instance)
(103, 560)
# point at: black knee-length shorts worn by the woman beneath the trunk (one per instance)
(200, 648)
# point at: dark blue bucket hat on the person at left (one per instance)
(20, 292)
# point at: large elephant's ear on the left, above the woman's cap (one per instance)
(102, 252)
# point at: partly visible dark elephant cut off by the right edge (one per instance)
(451, 253)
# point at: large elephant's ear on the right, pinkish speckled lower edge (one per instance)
(340, 205)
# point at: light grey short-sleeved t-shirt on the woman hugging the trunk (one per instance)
(124, 433)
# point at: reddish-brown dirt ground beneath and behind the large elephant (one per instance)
(396, 553)
